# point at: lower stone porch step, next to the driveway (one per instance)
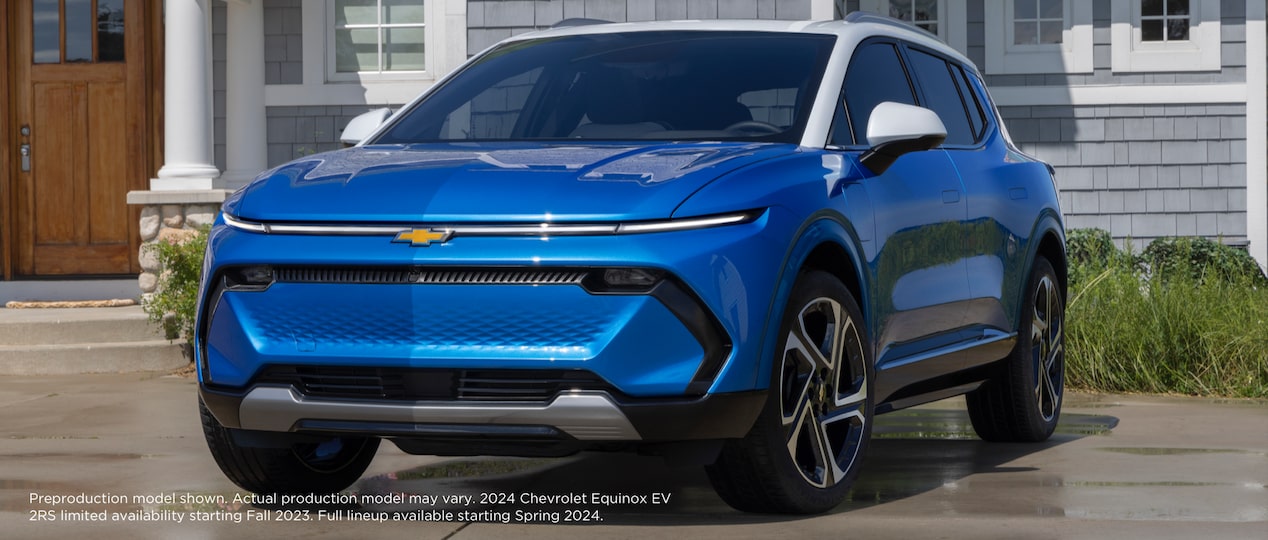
(153, 356)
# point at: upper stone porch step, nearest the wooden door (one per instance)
(69, 326)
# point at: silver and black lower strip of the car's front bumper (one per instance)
(584, 416)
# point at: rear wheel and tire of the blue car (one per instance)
(1023, 402)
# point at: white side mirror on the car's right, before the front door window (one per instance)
(895, 130)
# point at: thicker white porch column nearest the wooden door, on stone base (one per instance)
(187, 98)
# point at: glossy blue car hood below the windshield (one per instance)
(493, 183)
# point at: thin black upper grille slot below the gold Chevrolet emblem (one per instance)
(430, 277)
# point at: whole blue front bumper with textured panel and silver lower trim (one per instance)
(678, 362)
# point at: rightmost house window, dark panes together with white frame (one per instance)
(1165, 36)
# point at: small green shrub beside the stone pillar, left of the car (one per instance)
(177, 297)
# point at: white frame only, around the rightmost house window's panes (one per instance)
(1200, 53)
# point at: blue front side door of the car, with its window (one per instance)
(917, 264)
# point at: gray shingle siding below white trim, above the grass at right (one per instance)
(1144, 172)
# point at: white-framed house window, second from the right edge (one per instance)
(1039, 36)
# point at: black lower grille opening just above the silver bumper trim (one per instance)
(434, 385)
